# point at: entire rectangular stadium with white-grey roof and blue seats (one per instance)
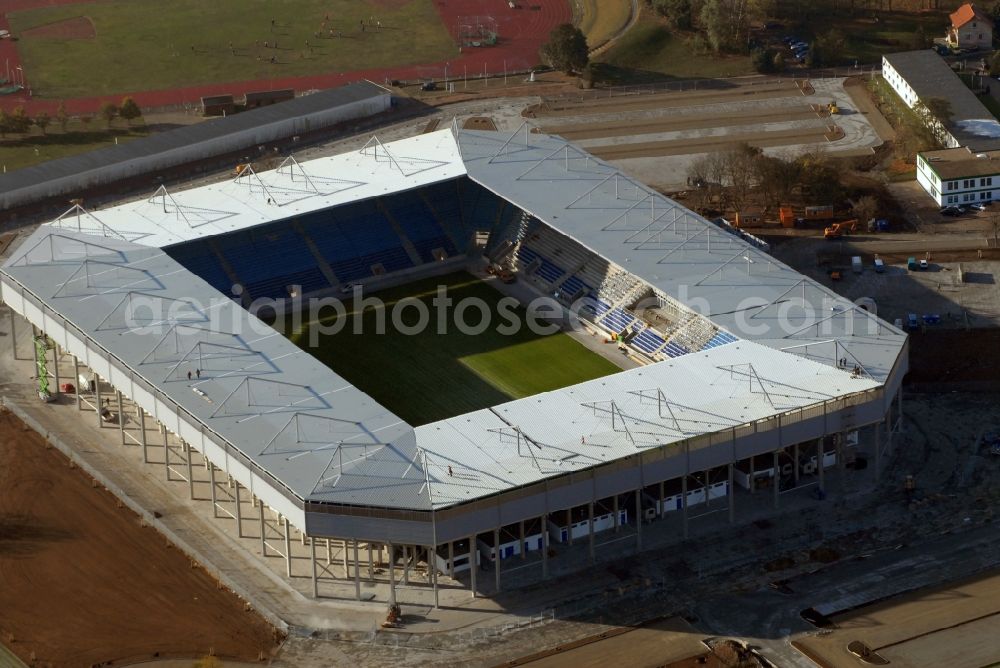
(467, 450)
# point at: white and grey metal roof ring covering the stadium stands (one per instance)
(324, 440)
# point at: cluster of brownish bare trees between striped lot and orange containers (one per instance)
(727, 179)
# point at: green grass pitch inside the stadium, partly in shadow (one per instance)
(427, 377)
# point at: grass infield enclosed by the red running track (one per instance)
(97, 48)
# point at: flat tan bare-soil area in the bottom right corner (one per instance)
(955, 626)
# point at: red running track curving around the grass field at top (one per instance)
(522, 32)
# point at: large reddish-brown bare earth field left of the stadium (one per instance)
(84, 583)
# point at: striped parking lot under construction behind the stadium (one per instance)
(656, 134)
